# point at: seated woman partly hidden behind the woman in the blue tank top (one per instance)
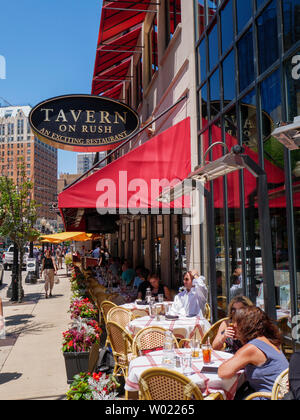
(226, 338)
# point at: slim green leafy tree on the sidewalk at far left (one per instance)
(18, 215)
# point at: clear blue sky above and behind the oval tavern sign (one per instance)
(49, 48)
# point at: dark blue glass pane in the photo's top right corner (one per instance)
(291, 22)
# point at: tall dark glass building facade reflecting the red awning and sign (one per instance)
(248, 71)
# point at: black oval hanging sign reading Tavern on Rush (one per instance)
(83, 123)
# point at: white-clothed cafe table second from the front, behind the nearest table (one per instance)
(182, 327)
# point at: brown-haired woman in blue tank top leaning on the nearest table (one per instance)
(260, 355)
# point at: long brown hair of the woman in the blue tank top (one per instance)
(253, 323)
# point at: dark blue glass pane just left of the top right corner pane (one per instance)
(267, 37)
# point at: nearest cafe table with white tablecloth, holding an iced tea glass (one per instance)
(208, 382)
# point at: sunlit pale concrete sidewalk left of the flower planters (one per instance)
(31, 362)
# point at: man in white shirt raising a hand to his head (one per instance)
(192, 300)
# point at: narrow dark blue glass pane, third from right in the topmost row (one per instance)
(246, 60)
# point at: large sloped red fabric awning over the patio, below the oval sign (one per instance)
(132, 182)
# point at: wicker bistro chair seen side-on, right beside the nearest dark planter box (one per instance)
(121, 344)
